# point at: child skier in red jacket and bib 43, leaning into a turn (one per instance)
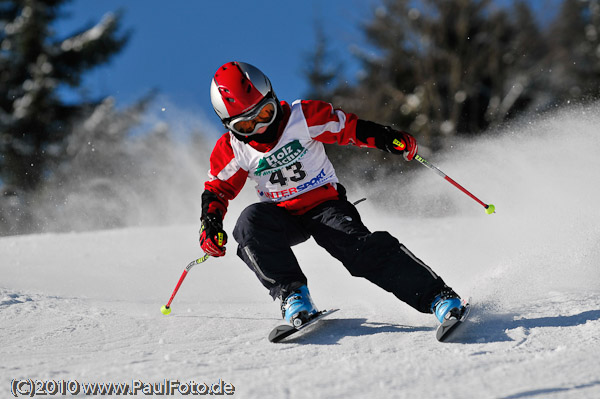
(280, 147)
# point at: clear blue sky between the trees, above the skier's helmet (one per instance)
(177, 45)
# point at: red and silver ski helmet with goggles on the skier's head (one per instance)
(242, 96)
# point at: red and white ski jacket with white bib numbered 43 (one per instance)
(294, 172)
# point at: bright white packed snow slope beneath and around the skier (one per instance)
(85, 307)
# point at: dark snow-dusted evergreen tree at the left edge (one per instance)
(34, 63)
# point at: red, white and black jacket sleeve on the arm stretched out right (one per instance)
(334, 126)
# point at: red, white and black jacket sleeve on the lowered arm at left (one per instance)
(225, 179)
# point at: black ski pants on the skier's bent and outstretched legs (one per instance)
(265, 234)
